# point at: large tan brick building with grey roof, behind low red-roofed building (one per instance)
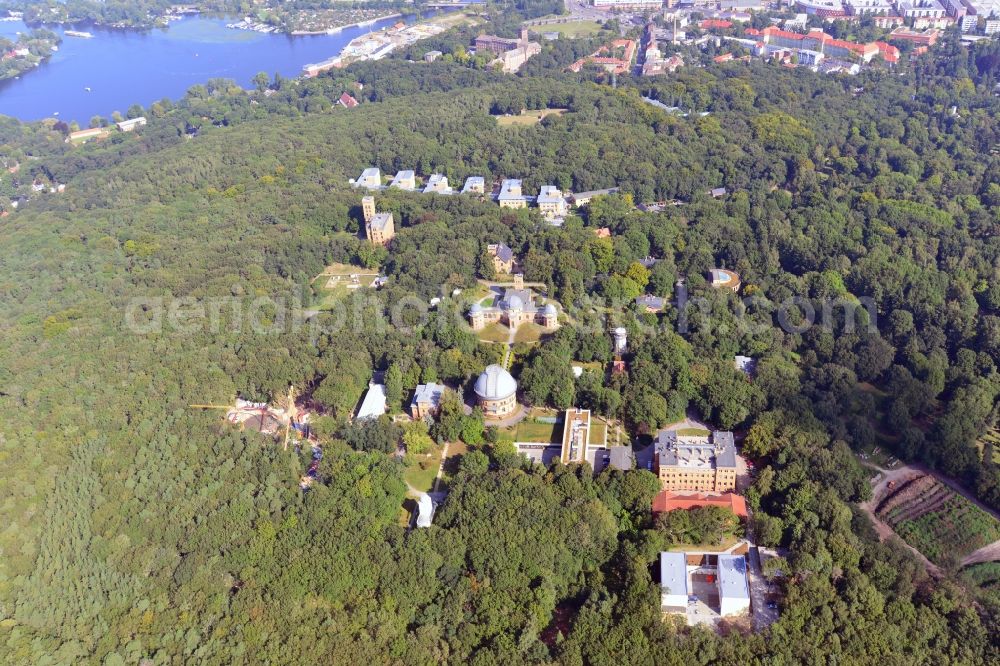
(694, 462)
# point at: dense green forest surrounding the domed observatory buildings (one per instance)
(137, 528)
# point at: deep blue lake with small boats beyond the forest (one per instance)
(123, 67)
